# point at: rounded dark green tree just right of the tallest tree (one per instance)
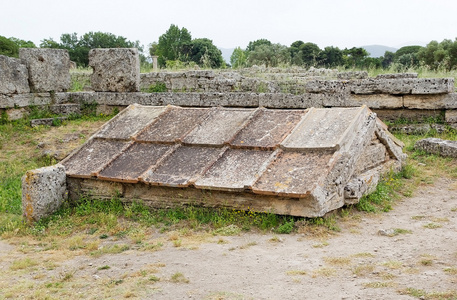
(204, 53)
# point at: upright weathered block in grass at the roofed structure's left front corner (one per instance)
(43, 191)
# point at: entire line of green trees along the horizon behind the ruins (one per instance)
(177, 48)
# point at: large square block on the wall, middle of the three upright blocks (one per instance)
(49, 69)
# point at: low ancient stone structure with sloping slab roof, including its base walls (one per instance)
(296, 162)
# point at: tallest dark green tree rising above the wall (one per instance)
(170, 46)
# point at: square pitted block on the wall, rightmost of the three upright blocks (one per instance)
(115, 70)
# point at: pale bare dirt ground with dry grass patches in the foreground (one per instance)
(407, 253)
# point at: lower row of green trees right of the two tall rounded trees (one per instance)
(263, 52)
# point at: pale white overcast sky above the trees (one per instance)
(341, 23)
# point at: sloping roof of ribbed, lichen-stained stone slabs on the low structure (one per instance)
(292, 153)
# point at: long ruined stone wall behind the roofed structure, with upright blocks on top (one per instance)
(40, 78)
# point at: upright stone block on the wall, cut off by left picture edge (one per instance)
(14, 76)
